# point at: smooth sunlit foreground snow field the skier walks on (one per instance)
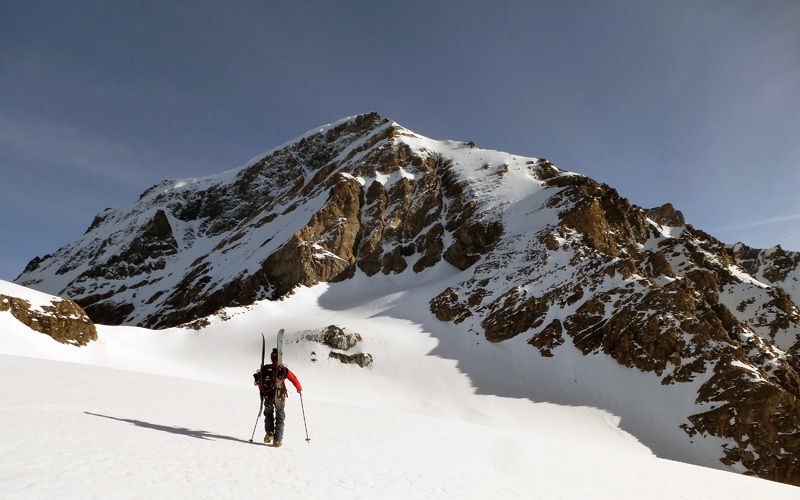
(82, 431)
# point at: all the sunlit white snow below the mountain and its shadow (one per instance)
(168, 415)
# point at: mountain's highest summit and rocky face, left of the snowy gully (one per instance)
(190, 246)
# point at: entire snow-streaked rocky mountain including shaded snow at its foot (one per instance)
(571, 293)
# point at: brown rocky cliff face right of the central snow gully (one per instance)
(617, 280)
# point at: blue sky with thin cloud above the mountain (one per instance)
(689, 102)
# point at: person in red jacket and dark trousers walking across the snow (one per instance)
(274, 398)
